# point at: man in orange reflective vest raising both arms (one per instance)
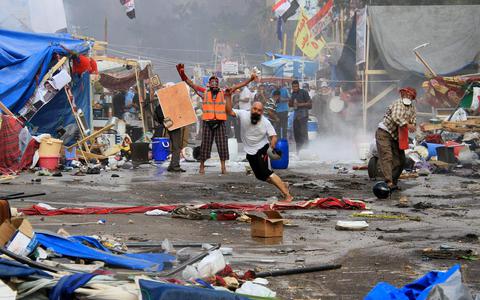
(214, 116)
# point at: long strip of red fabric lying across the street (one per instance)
(320, 203)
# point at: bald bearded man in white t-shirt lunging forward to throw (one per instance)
(256, 130)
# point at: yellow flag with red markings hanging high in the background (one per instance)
(305, 40)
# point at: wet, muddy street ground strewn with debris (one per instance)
(390, 250)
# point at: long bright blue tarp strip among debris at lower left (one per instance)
(153, 262)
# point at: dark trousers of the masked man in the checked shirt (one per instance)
(390, 157)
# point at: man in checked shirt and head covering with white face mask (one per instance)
(400, 113)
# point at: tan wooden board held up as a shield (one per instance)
(177, 105)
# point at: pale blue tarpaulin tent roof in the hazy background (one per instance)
(289, 66)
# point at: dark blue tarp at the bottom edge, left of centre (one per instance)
(166, 291)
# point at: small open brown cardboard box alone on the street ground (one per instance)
(267, 227)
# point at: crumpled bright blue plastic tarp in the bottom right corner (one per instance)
(417, 290)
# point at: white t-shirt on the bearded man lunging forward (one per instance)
(254, 137)
